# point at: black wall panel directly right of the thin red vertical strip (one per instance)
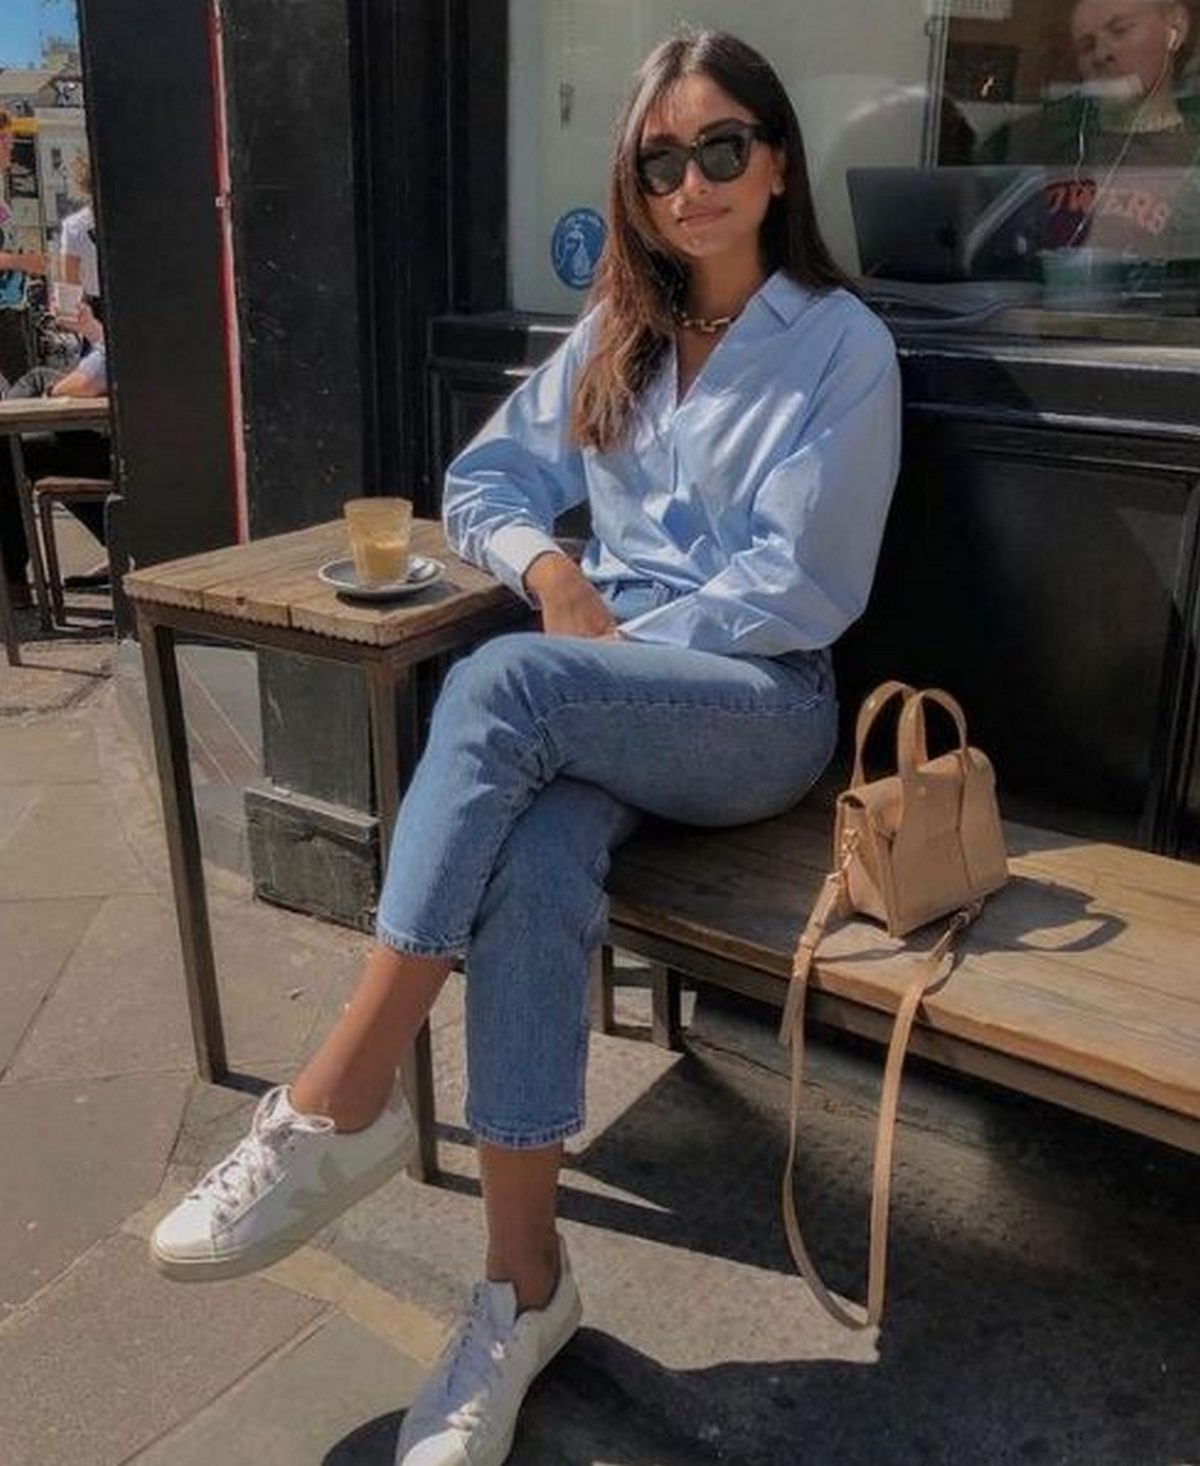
(294, 181)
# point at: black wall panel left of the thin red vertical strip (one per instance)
(150, 119)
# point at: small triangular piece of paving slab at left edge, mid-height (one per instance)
(36, 942)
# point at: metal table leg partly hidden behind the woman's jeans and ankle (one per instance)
(395, 741)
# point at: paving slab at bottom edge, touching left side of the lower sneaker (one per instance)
(301, 1405)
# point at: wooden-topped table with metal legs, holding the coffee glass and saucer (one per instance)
(267, 594)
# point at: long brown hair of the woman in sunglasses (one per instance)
(640, 279)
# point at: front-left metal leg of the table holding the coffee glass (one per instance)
(179, 817)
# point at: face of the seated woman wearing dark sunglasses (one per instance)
(704, 219)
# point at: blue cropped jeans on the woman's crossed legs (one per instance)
(543, 751)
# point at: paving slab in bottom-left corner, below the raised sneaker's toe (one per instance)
(114, 1357)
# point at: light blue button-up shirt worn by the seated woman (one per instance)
(758, 499)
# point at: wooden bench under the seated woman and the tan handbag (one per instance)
(1081, 984)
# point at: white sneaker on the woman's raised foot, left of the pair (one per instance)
(291, 1176)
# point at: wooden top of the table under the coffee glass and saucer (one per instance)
(273, 583)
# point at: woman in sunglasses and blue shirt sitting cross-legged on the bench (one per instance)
(730, 416)
